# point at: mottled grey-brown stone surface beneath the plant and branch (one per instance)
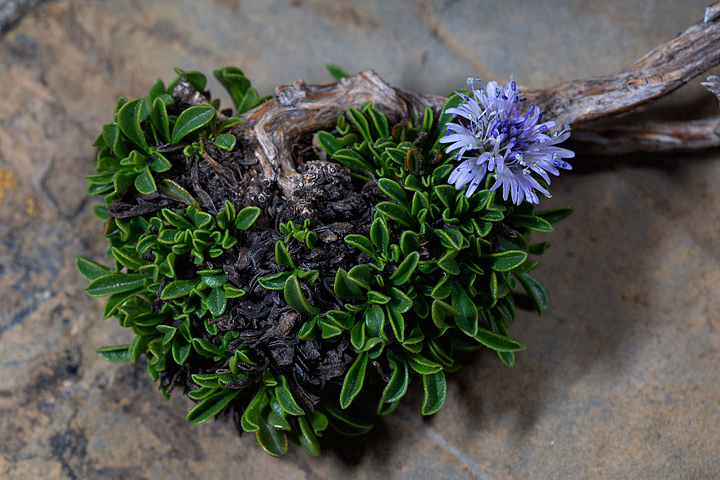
(621, 376)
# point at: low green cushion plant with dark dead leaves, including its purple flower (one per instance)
(404, 242)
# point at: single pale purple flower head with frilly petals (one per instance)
(490, 134)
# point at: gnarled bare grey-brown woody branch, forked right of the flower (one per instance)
(299, 109)
